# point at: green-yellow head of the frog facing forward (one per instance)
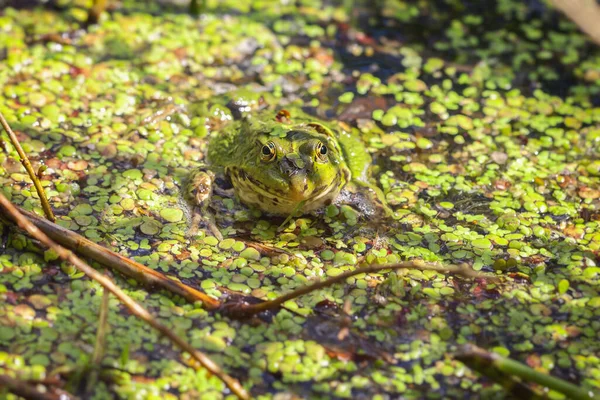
(292, 163)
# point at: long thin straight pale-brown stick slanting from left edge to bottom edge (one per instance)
(135, 308)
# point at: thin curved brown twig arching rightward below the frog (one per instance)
(462, 270)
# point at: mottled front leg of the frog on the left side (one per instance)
(198, 192)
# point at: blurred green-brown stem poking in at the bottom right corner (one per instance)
(501, 369)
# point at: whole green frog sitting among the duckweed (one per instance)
(280, 164)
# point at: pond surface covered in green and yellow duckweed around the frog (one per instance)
(483, 122)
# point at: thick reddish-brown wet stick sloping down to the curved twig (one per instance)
(146, 276)
